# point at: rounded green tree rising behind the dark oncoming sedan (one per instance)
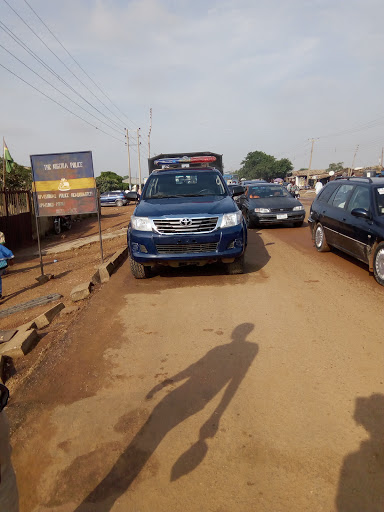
(259, 165)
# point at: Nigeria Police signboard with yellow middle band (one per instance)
(64, 184)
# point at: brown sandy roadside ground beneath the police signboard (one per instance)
(74, 266)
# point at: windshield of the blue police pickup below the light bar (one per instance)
(184, 184)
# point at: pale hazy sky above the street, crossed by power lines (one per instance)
(228, 76)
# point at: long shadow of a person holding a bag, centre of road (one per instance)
(223, 366)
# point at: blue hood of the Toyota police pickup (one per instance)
(181, 206)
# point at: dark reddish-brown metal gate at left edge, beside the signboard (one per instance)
(16, 217)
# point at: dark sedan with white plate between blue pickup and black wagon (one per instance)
(269, 203)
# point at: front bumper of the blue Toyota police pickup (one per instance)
(151, 248)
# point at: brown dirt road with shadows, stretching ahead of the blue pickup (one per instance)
(198, 391)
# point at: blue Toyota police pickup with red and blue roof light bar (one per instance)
(186, 216)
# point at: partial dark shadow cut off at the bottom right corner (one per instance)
(361, 482)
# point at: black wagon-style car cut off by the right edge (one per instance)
(348, 214)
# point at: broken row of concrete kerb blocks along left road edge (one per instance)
(19, 342)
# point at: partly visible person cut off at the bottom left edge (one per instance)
(9, 499)
